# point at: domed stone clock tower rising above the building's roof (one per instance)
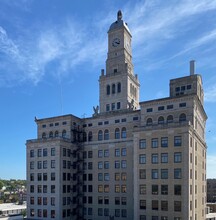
(119, 87)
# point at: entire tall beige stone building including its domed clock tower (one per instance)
(130, 160)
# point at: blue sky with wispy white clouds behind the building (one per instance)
(51, 54)
